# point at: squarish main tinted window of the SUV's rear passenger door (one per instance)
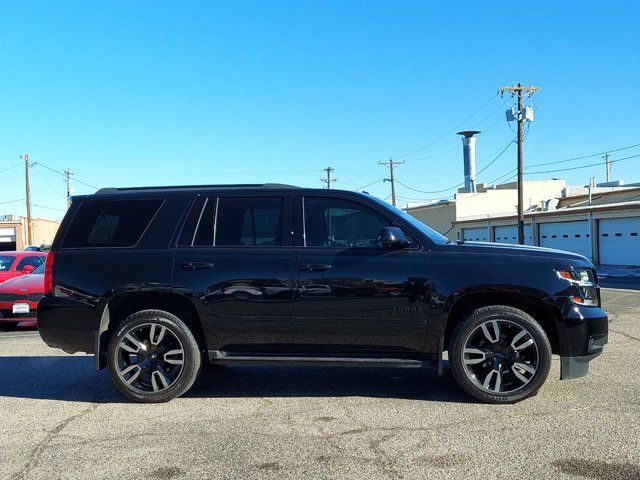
(253, 221)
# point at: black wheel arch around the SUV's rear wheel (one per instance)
(121, 306)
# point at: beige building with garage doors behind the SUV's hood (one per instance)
(601, 222)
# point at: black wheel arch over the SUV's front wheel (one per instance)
(530, 304)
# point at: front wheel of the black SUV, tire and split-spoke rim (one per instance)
(499, 364)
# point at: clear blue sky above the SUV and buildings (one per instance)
(149, 93)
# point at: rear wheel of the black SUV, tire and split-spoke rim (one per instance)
(149, 372)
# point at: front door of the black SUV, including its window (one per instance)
(352, 295)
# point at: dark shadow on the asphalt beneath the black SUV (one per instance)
(73, 379)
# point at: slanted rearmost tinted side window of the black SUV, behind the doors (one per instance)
(114, 223)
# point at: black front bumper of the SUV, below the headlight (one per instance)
(582, 335)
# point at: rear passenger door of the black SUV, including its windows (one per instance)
(234, 259)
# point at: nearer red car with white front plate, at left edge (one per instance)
(19, 299)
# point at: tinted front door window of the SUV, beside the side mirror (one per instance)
(341, 223)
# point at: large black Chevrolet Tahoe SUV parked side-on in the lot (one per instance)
(156, 282)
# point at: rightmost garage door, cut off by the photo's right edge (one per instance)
(620, 241)
